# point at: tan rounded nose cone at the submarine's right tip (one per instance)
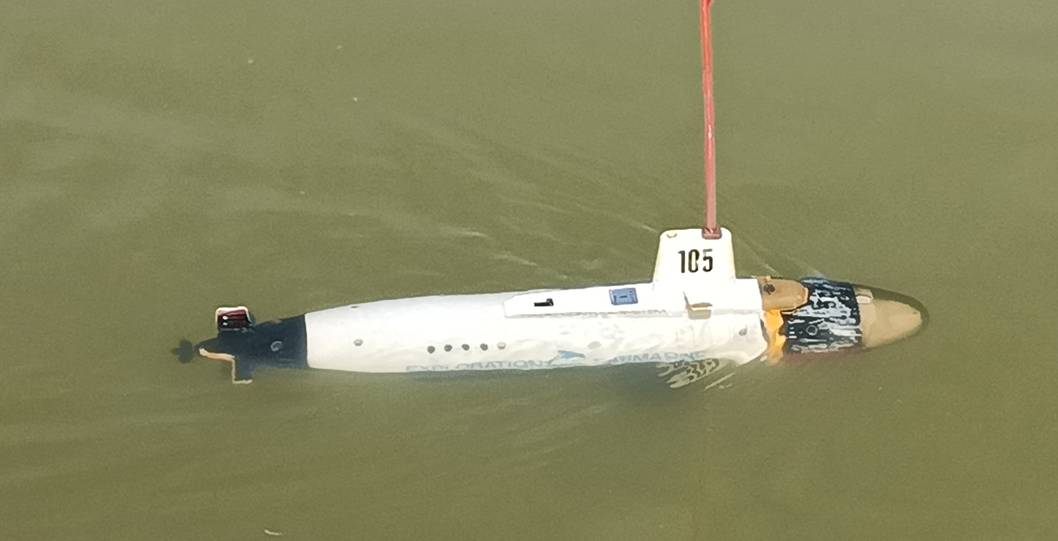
(887, 317)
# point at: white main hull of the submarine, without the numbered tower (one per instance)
(534, 331)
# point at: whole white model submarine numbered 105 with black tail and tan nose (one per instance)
(696, 319)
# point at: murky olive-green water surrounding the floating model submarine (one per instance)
(157, 160)
